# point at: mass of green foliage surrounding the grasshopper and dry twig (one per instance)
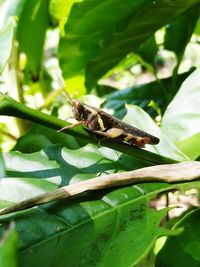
(94, 42)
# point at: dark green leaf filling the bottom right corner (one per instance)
(183, 249)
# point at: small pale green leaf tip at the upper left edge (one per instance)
(6, 36)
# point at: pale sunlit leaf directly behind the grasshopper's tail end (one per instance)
(138, 118)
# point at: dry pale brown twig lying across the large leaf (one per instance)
(170, 173)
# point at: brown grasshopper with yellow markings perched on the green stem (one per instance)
(107, 126)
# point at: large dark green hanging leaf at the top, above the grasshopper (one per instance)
(99, 47)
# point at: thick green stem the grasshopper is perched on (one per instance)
(10, 107)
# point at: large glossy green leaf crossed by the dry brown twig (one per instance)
(116, 225)
